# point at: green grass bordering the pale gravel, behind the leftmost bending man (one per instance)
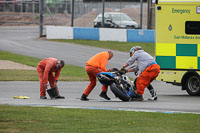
(68, 73)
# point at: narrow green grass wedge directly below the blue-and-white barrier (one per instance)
(120, 46)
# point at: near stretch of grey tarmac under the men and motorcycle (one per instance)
(170, 98)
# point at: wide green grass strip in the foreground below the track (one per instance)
(23, 119)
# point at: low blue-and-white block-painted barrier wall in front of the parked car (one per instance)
(102, 34)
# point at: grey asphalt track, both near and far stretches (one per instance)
(24, 40)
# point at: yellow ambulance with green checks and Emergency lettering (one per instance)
(177, 43)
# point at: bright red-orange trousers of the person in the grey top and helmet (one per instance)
(146, 77)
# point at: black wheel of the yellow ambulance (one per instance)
(192, 85)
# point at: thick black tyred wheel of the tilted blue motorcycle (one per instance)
(119, 92)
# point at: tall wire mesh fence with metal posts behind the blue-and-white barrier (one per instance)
(59, 12)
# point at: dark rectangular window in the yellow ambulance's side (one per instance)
(192, 27)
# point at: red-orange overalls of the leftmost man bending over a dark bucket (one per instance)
(47, 72)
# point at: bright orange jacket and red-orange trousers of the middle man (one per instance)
(95, 65)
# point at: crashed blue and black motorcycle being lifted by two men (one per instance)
(122, 87)
